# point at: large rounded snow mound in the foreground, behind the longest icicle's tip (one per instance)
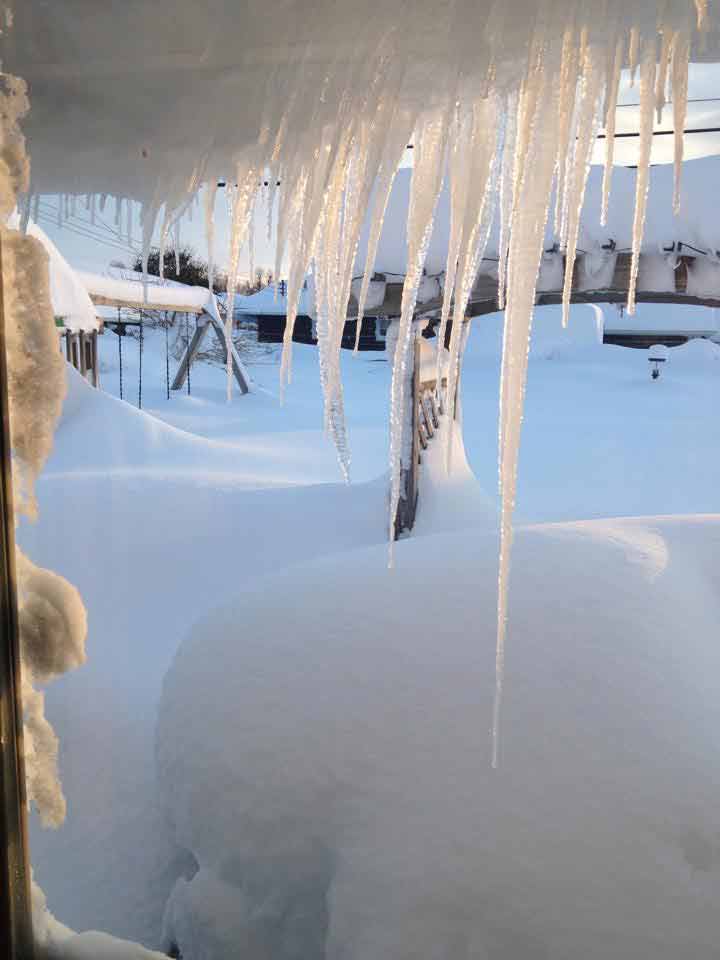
(332, 779)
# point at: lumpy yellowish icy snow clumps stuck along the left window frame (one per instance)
(52, 622)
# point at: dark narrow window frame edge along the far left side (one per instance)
(16, 937)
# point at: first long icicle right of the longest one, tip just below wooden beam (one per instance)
(588, 122)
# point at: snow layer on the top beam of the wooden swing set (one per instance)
(153, 295)
